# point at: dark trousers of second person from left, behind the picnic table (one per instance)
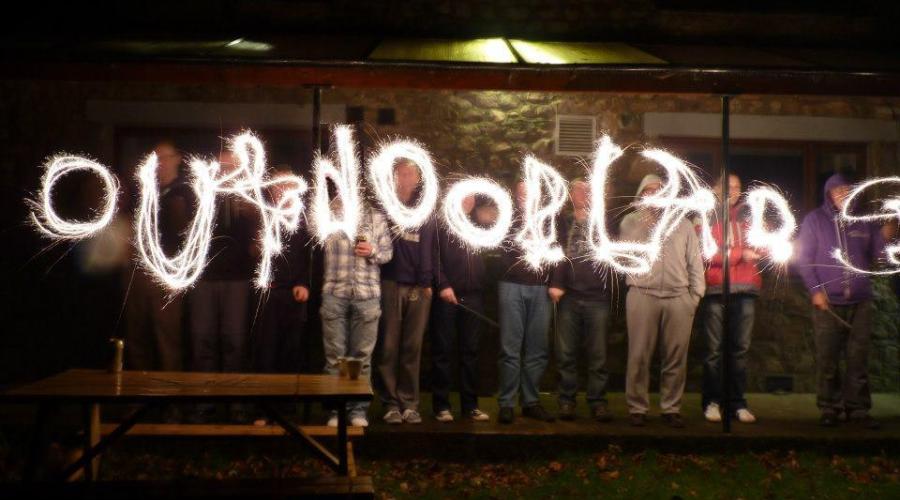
(219, 325)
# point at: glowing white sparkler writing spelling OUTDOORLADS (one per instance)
(280, 205)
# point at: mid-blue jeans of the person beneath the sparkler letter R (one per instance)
(524, 324)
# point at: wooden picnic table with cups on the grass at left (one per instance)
(148, 390)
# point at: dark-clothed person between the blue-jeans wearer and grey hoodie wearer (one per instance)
(583, 314)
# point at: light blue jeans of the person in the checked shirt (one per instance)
(350, 329)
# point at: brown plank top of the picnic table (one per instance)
(103, 386)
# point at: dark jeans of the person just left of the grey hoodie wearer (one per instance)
(582, 328)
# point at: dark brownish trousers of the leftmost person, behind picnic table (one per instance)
(153, 336)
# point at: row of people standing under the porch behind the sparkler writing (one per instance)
(381, 290)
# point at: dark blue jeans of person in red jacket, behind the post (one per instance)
(741, 307)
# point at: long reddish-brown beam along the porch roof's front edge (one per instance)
(638, 79)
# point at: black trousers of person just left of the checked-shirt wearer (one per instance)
(278, 337)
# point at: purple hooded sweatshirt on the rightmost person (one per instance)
(820, 234)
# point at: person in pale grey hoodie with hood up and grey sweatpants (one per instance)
(660, 307)
